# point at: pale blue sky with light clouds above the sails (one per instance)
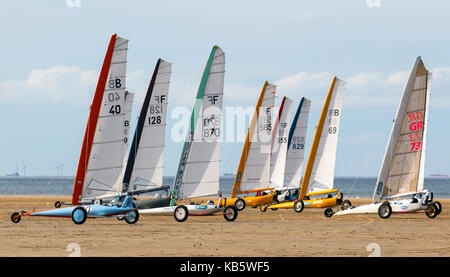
(52, 51)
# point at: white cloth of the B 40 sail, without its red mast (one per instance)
(106, 159)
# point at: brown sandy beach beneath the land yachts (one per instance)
(271, 234)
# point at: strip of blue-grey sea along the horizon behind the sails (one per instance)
(352, 187)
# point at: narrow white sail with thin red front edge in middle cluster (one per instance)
(280, 136)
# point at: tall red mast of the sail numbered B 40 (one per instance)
(92, 123)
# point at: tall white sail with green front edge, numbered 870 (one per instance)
(199, 167)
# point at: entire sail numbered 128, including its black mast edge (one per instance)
(144, 168)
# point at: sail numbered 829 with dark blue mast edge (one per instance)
(296, 145)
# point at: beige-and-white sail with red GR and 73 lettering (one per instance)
(402, 171)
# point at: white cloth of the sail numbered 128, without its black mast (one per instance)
(149, 157)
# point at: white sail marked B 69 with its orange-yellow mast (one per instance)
(319, 172)
